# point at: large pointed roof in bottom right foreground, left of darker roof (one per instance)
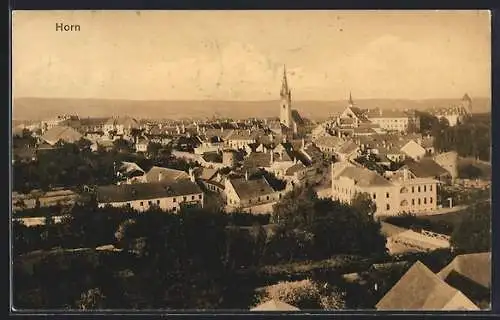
(418, 289)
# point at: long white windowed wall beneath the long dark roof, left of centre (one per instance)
(165, 203)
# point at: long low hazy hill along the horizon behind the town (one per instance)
(44, 108)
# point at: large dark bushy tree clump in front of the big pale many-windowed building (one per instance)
(336, 228)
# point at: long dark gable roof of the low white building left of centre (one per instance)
(145, 191)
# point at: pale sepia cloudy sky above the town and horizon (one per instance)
(239, 55)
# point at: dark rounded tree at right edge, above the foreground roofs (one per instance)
(474, 232)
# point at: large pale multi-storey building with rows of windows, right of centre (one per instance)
(403, 192)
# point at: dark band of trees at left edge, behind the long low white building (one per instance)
(73, 164)
